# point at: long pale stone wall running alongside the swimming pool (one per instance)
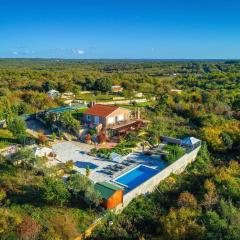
(150, 185)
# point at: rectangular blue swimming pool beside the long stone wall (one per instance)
(135, 177)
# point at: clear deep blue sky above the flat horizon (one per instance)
(162, 29)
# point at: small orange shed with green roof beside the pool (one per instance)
(112, 195)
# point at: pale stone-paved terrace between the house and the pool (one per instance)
(99, 168)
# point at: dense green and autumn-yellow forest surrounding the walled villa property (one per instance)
(197, 98)
